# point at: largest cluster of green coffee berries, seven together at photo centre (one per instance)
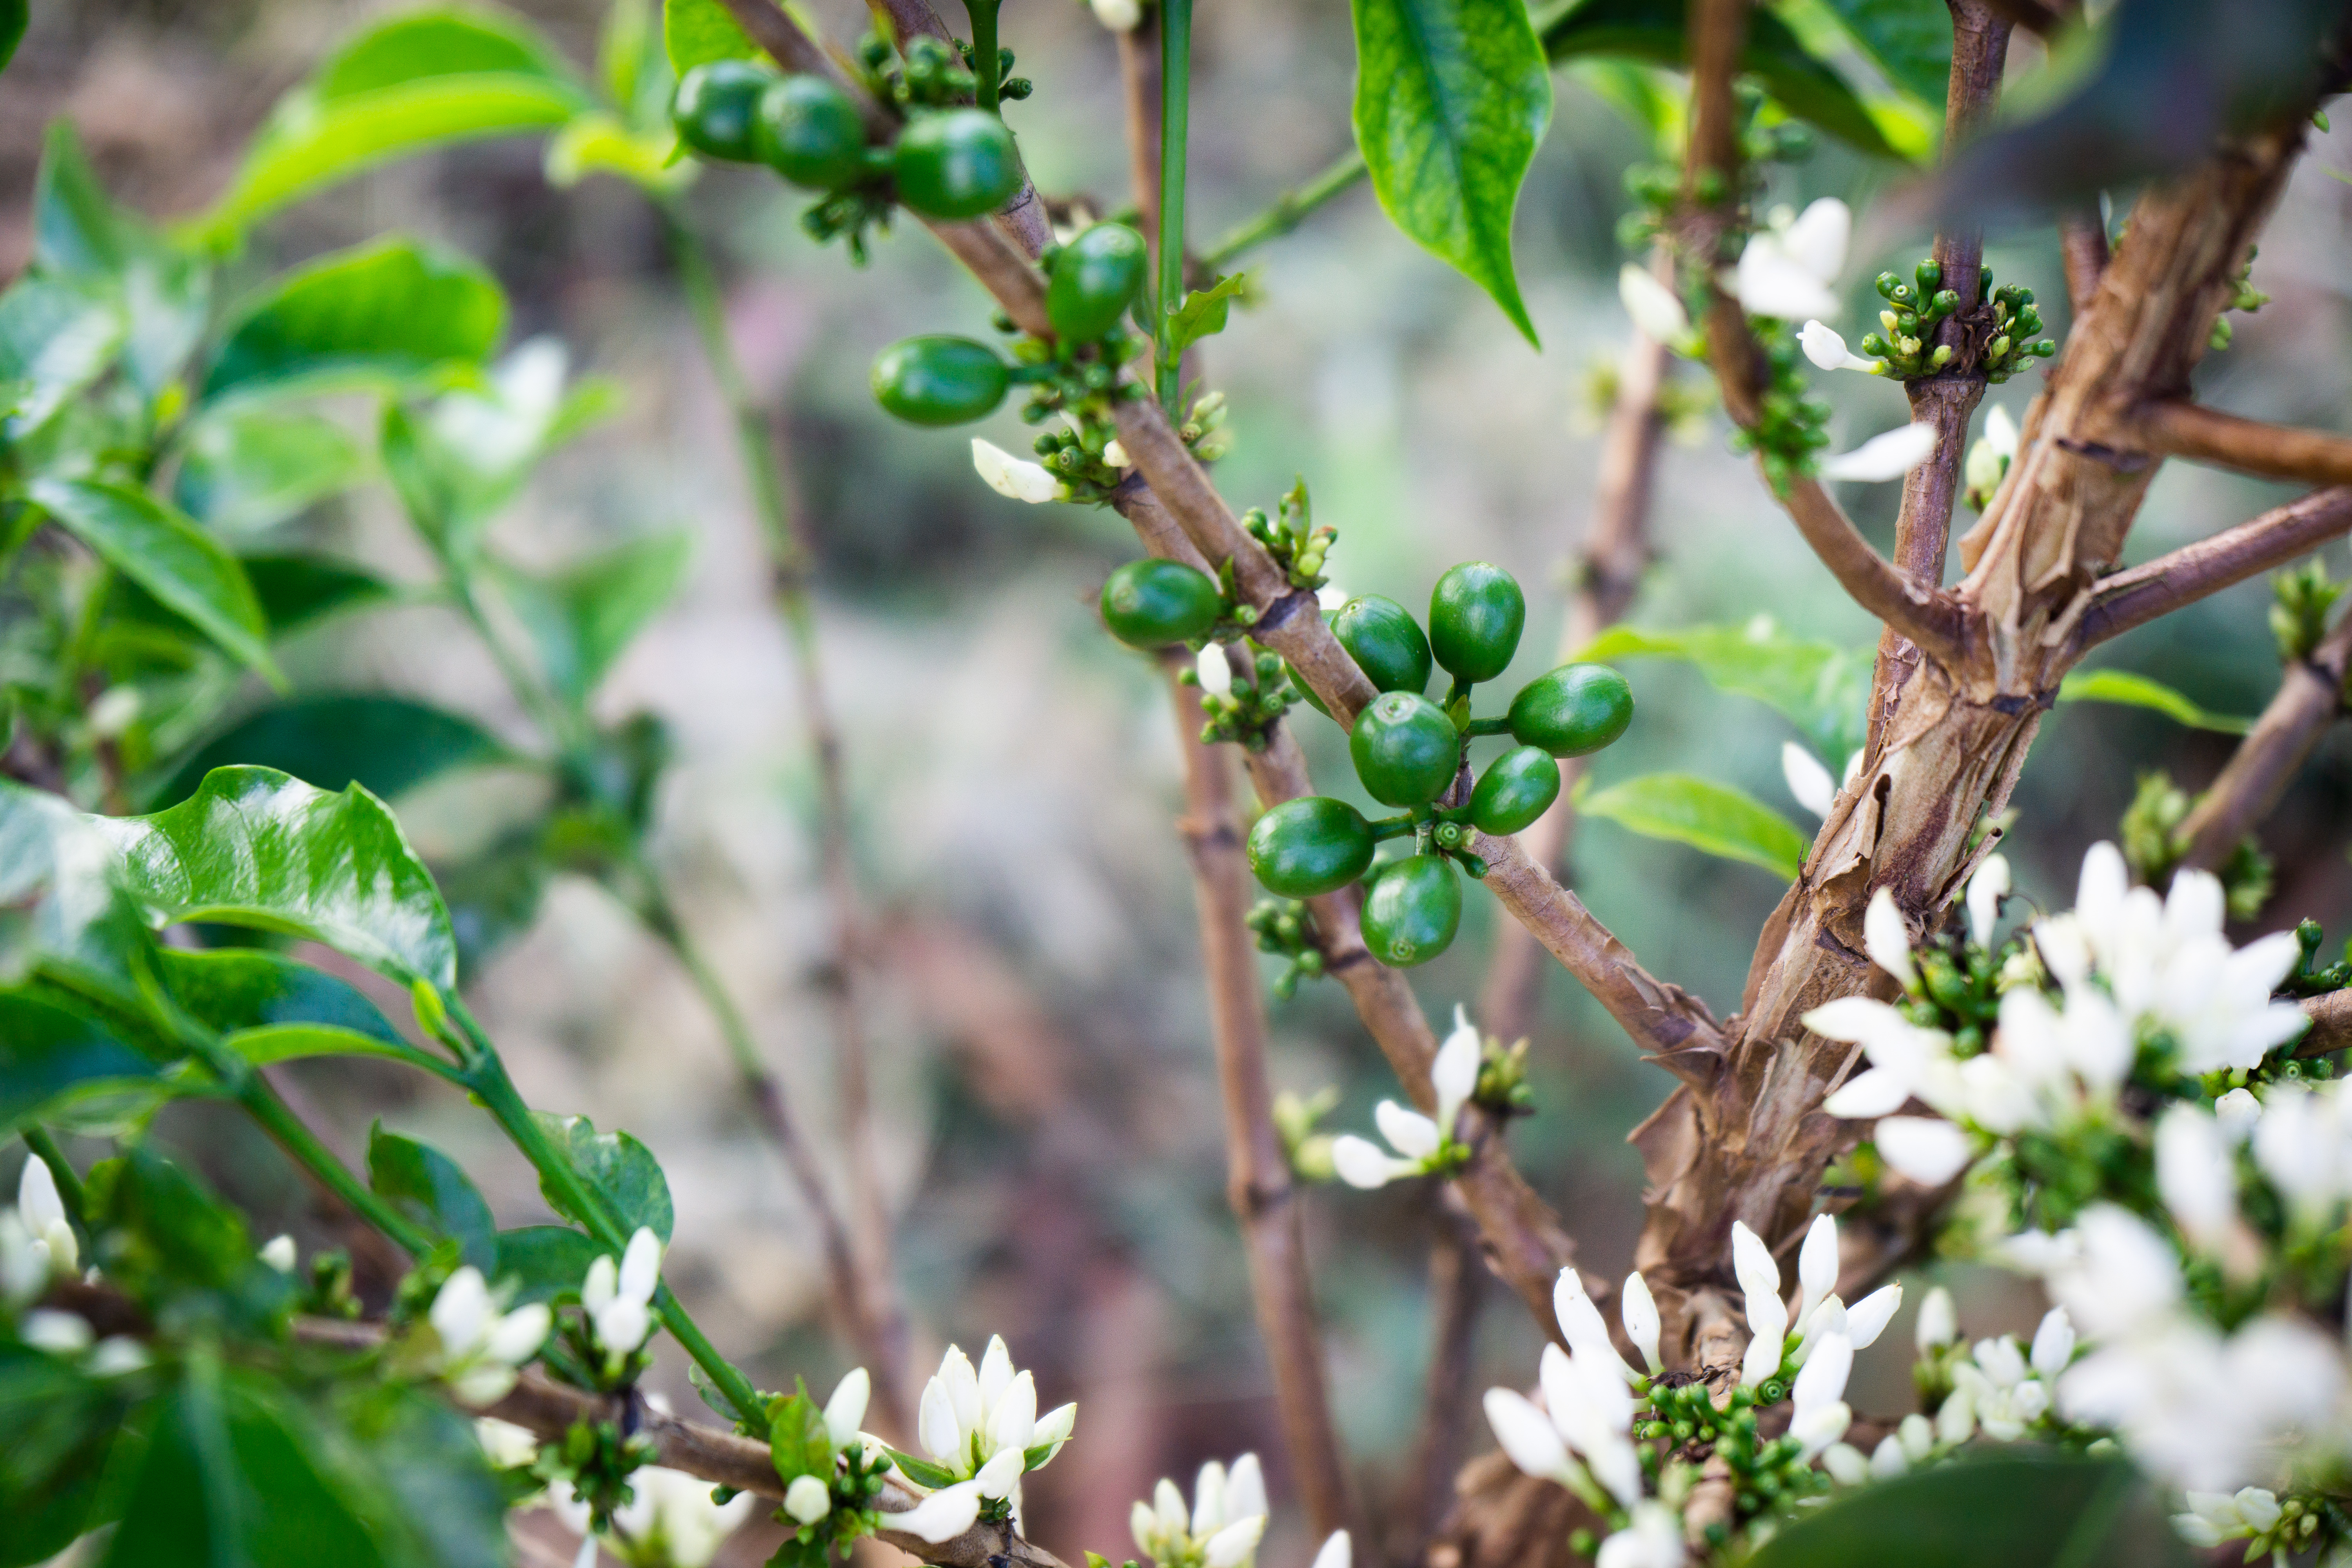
(1412, 753)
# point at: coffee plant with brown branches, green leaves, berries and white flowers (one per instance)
(2132, 1104)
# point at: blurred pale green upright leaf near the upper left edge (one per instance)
(81, 234)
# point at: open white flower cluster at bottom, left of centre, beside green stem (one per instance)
(980, 1428)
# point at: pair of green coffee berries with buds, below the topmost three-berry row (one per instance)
(942, 380)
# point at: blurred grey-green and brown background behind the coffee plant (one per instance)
(1043, 1083)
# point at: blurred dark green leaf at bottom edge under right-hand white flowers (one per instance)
(2017, 1508)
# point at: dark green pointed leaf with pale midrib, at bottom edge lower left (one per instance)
(236, 1477)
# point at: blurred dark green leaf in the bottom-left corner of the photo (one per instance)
(58, 1428)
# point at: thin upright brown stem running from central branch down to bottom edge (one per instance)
(1257, 1170)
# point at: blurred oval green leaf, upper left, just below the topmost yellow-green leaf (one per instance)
(385, 314)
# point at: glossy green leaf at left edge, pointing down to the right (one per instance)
(166, 554)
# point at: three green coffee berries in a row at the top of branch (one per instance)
(949, 161)
